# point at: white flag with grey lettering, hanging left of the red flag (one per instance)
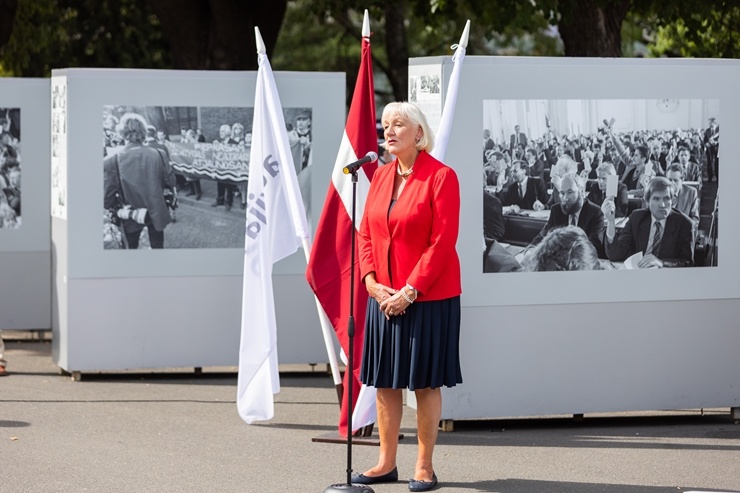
(276, 227)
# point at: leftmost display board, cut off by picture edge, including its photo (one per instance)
(25, 253)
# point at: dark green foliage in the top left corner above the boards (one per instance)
(52, 34)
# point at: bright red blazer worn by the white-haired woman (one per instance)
(415, 243)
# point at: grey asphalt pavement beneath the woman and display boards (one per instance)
(177, 432)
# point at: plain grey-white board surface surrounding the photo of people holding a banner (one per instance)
(175, 307)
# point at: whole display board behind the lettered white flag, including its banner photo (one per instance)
(179, 305)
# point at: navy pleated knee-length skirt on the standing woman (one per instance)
(417, 350)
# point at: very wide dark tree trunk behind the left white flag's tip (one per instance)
(207, 35)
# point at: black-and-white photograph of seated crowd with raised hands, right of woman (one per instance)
(600, 184)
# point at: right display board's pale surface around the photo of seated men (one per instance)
(573, 342)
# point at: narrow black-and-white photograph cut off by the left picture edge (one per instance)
(10, 168)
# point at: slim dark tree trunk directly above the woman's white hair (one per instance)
(396, 46)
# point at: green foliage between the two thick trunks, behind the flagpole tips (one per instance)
(325, 35)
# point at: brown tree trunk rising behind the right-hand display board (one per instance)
(592, 28)
